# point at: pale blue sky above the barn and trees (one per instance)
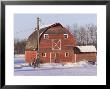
(24, 24)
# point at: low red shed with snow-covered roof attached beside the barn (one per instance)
(87, 52)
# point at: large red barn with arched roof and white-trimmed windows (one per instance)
(56, 44)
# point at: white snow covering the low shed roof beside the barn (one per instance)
(89, 48)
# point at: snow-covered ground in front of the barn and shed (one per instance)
(53, 69)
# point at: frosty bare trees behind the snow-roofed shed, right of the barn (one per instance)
(84, 35)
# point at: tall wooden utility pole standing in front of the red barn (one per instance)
(37, 63)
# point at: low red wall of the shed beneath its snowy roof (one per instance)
(86, 56)
